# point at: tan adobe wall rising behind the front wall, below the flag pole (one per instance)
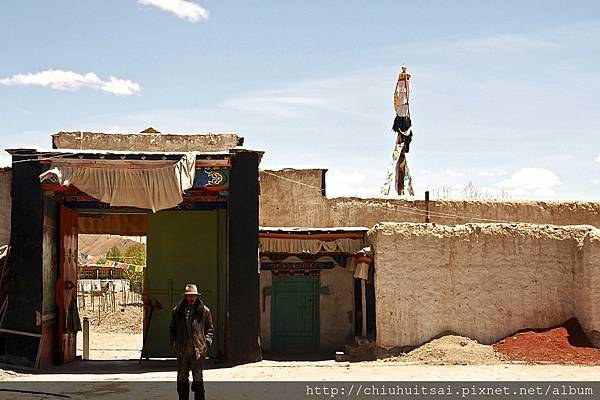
(294, 198)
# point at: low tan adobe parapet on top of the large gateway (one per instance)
(145, 142)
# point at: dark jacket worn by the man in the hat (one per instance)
(202, 328)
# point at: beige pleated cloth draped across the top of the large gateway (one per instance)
(145, 186)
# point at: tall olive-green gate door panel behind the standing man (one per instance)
(185, 247)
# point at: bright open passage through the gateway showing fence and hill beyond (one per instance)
(110, 294)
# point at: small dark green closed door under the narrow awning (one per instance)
(295, 314)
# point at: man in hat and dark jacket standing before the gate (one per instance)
(191, 332)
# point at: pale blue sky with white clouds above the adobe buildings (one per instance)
(504, 95)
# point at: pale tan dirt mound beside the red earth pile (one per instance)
(452, 350)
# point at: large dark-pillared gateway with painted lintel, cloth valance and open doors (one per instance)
(194, 186)
